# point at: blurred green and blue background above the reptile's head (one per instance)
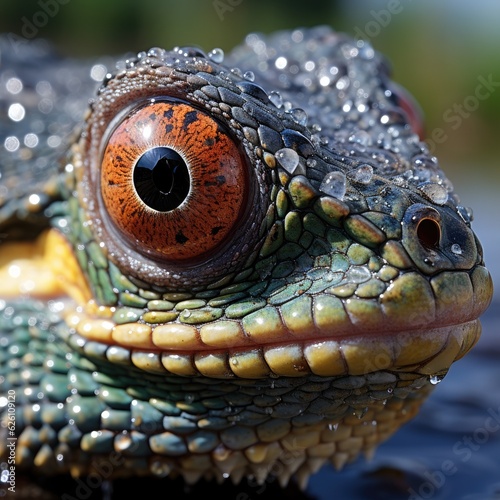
(441, 51)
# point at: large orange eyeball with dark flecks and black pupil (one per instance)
(173, 181)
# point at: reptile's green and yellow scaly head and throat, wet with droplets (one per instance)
(296, 307)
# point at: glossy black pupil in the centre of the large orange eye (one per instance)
(161, 179)
